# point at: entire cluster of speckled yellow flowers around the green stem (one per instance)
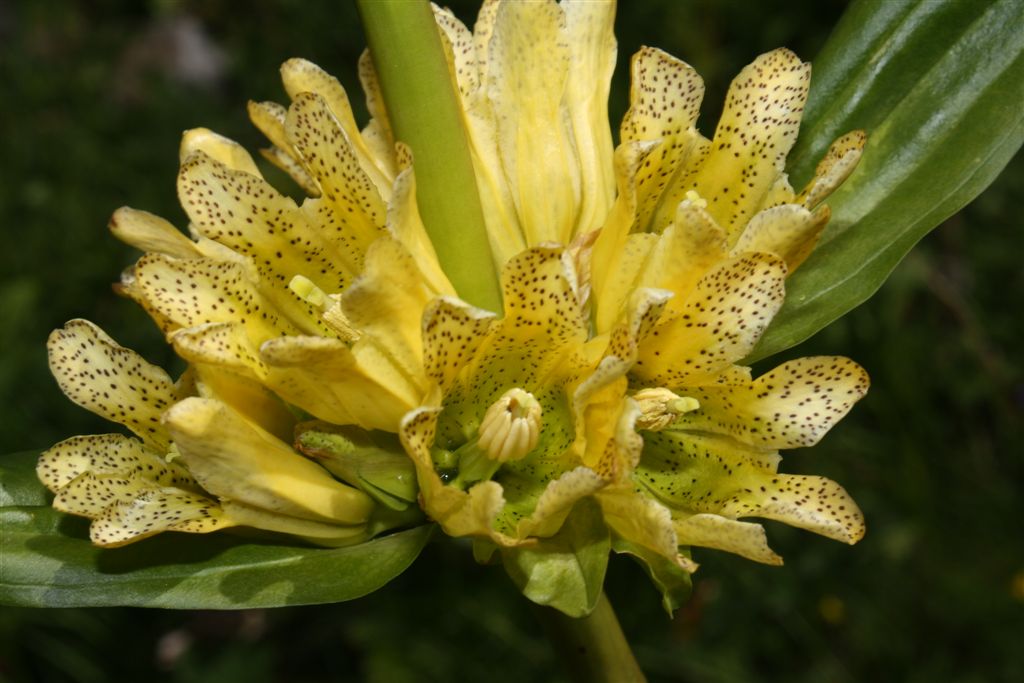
(337, 386)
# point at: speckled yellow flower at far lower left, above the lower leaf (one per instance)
(198, 465)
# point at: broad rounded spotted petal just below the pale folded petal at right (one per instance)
(717, 326)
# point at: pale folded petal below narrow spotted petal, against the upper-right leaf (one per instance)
(789, 231)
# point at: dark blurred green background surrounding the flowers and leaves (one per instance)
(94, 98)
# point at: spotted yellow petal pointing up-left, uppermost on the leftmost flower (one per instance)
(112, 381)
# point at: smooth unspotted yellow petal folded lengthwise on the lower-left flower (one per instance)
(237, 460)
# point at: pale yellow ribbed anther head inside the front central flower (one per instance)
(511, 426)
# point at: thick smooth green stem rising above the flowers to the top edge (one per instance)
(424, 112)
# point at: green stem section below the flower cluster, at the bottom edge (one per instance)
(593, 648)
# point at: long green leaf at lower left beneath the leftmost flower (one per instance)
(48, 562)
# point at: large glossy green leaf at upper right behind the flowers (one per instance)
(938, 86)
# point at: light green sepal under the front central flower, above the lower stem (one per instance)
(567, 571)
